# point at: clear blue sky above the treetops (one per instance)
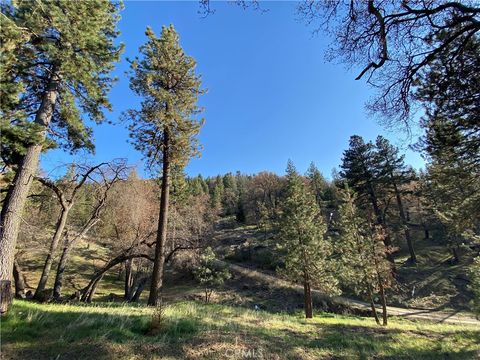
(271, 95)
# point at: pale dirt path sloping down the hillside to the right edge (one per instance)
(430, 315)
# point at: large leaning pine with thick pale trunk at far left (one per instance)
(62, 54)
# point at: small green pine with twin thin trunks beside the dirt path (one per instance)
(363, 254)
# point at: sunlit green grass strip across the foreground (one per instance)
(194, 330)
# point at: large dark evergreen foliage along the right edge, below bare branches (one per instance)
(450, 95)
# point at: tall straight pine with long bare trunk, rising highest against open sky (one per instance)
(165, 127)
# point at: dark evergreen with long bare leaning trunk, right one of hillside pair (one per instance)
(393, 172)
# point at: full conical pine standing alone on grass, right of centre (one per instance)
(302, 234)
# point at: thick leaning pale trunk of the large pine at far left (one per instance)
(14, 205)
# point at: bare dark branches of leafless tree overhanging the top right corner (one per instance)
(393, 42)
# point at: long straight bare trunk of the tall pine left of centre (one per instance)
(159, 262)
